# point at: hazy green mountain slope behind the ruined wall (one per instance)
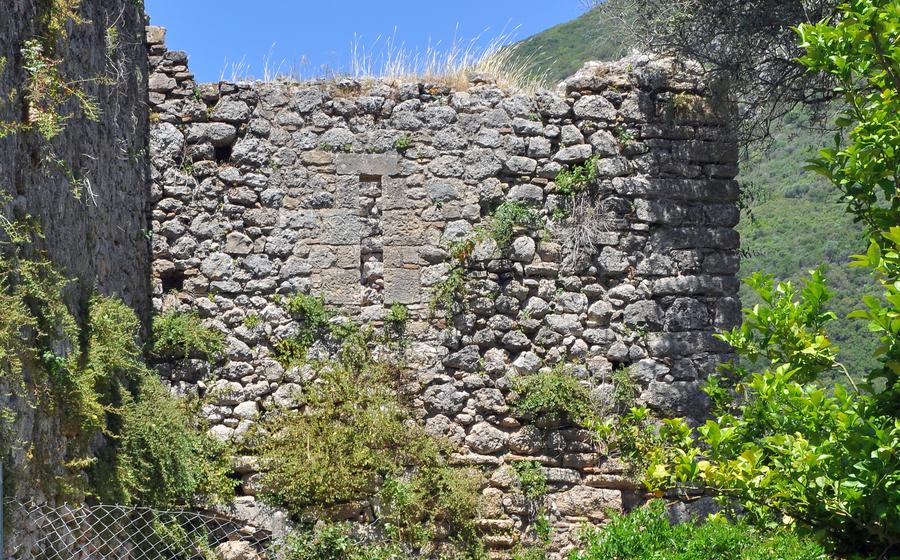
(798, 223)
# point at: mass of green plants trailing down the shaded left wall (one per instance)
(93, 378)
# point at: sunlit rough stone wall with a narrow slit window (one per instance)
(355, 191)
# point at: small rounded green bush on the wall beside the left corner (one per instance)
(183, 335)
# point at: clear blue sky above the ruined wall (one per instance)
(309, 34)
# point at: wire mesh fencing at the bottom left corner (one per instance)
(114, 532)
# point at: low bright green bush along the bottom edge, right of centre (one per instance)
(647, 533)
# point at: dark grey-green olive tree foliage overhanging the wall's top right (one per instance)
(749, 44)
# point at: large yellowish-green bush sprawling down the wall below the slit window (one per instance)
(355, 431)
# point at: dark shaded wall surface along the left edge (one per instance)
(100, 238)
